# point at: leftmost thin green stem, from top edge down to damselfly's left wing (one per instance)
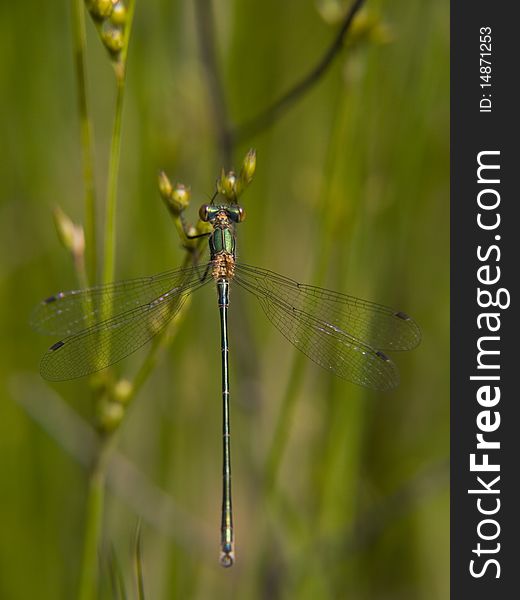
(79, 41)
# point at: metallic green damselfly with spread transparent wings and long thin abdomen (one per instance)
(341, 333)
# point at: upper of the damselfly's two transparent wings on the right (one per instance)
(374, 324)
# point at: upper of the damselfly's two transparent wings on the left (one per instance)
(70, 312)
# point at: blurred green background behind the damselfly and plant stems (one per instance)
(351, 193)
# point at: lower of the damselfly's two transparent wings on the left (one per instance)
(106, 342)
